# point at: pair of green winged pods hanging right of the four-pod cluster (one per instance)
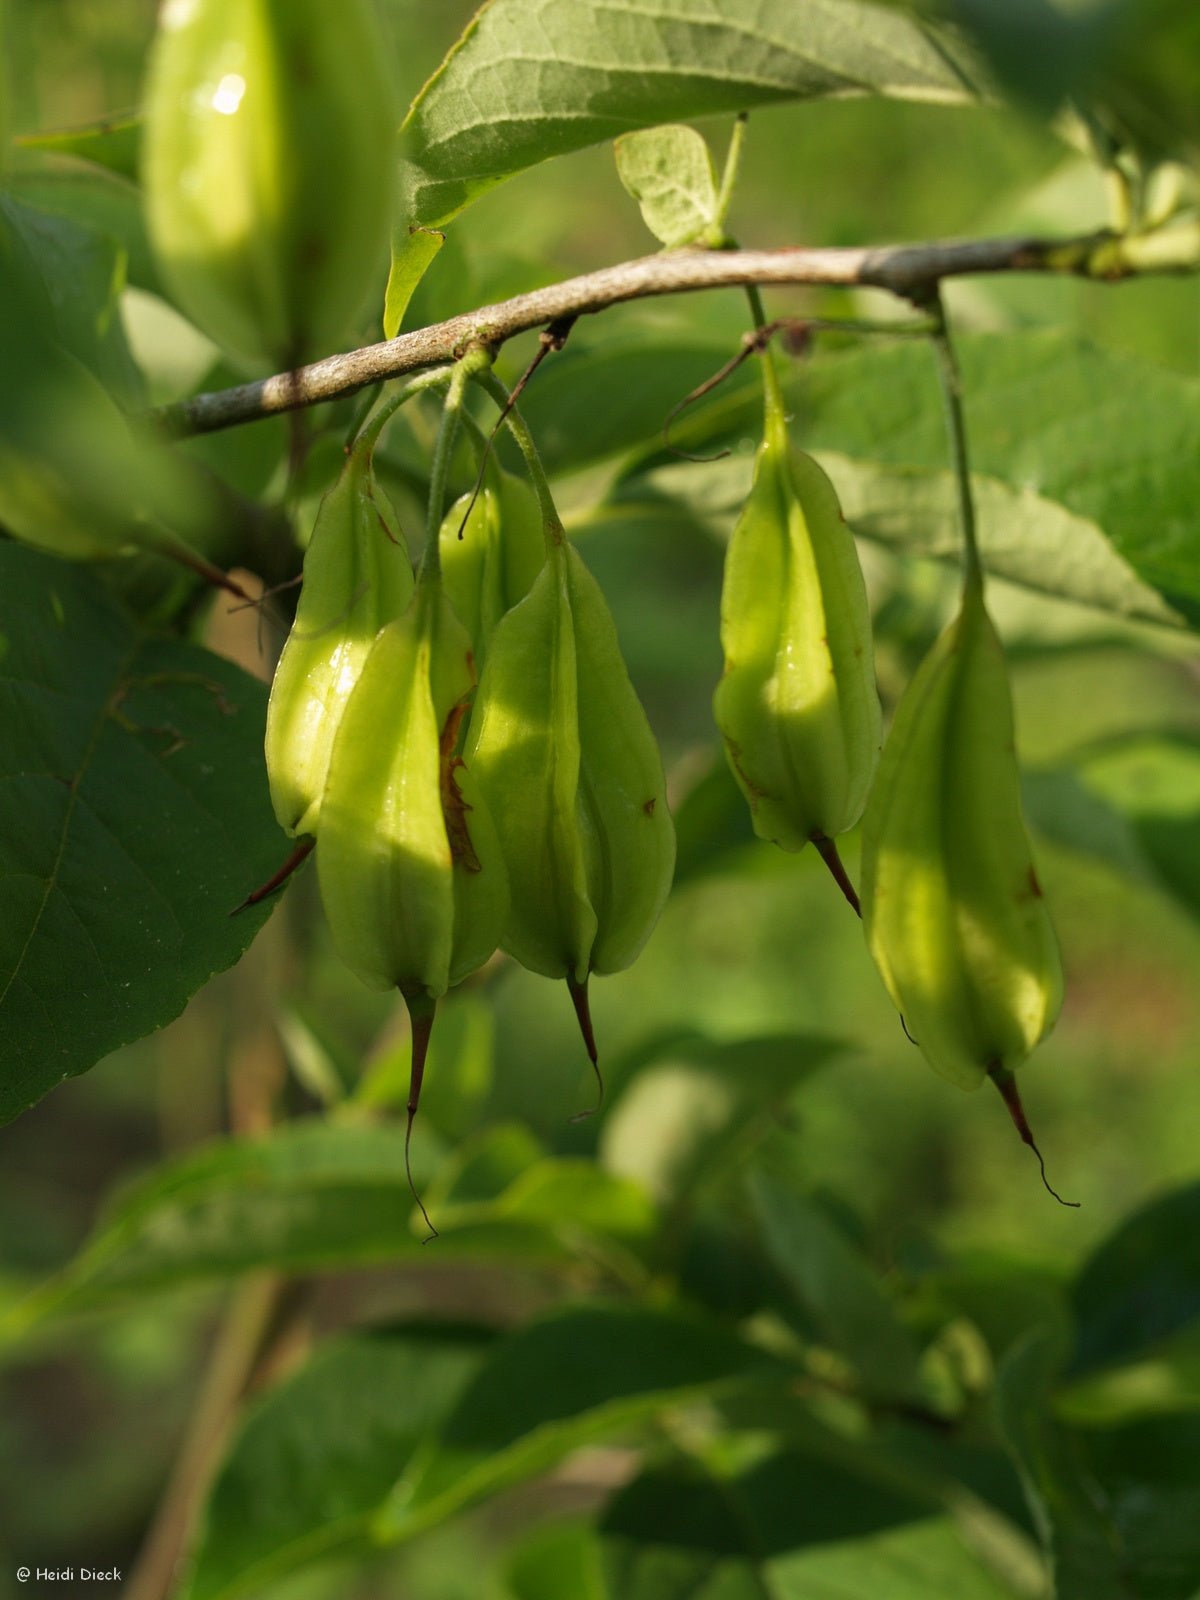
(951, 903)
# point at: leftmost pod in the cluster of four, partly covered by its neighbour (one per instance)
(358, 578)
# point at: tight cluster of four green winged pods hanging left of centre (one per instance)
(454, 817)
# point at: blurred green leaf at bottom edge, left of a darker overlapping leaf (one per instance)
(316, 1458)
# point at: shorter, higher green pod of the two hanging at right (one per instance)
(798, 703)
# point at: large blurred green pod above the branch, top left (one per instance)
(270, 169)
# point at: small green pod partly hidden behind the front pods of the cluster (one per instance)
(495, 562)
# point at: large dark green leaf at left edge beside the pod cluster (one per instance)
(134, 820)
